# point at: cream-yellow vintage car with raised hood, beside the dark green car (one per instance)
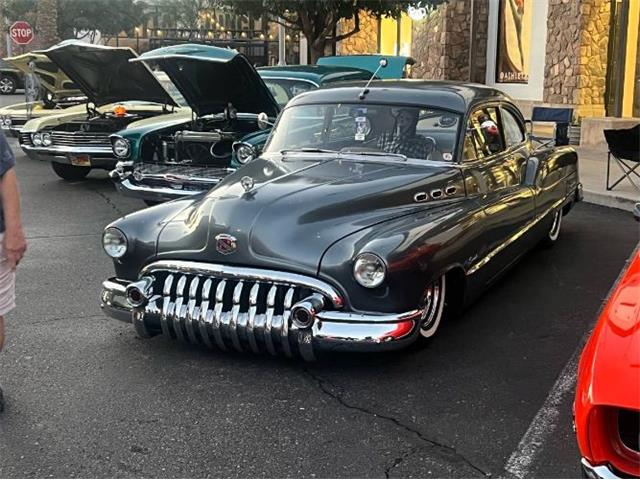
(118, 95)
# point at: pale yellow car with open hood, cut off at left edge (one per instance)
(57, 92)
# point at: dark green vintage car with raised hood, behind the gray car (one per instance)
(166, 160)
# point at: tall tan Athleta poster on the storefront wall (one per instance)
(514, 41)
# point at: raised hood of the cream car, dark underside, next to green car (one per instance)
(105, 75)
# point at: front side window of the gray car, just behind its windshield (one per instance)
(483, 134)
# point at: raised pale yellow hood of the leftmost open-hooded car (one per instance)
(52, 78)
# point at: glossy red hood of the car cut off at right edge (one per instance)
(614, 360)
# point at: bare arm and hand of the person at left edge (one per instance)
(14, 242)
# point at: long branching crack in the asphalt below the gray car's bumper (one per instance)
(443, 448)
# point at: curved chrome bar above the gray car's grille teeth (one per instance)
(246, 274)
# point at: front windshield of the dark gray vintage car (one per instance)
(420, 133)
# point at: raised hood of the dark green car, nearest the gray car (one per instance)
(210, 77)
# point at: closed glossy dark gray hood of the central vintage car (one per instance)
(297, 209)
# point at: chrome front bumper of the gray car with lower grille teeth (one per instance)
(331, 330)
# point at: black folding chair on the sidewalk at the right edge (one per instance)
(624, 148)
